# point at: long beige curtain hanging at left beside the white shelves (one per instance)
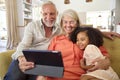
(12, 29)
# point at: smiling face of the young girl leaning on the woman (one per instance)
(82, 40)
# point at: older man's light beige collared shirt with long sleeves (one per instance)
(34, 38)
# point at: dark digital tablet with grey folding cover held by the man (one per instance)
(47, 63)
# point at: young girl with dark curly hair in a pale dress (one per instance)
(90, 40)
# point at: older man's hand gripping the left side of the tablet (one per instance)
(23, 64)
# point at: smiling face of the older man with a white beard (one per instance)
(49, 15)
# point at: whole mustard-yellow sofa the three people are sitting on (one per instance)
(113, 47)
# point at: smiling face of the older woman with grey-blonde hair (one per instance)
(68, 24)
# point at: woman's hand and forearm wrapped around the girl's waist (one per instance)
(101, 64)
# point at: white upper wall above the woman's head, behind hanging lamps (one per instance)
(82, 6)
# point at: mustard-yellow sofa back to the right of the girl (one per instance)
(113, 48)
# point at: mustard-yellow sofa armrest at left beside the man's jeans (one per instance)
(5, 59)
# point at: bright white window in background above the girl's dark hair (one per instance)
(99, 19)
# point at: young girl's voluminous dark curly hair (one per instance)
(95, 36)
